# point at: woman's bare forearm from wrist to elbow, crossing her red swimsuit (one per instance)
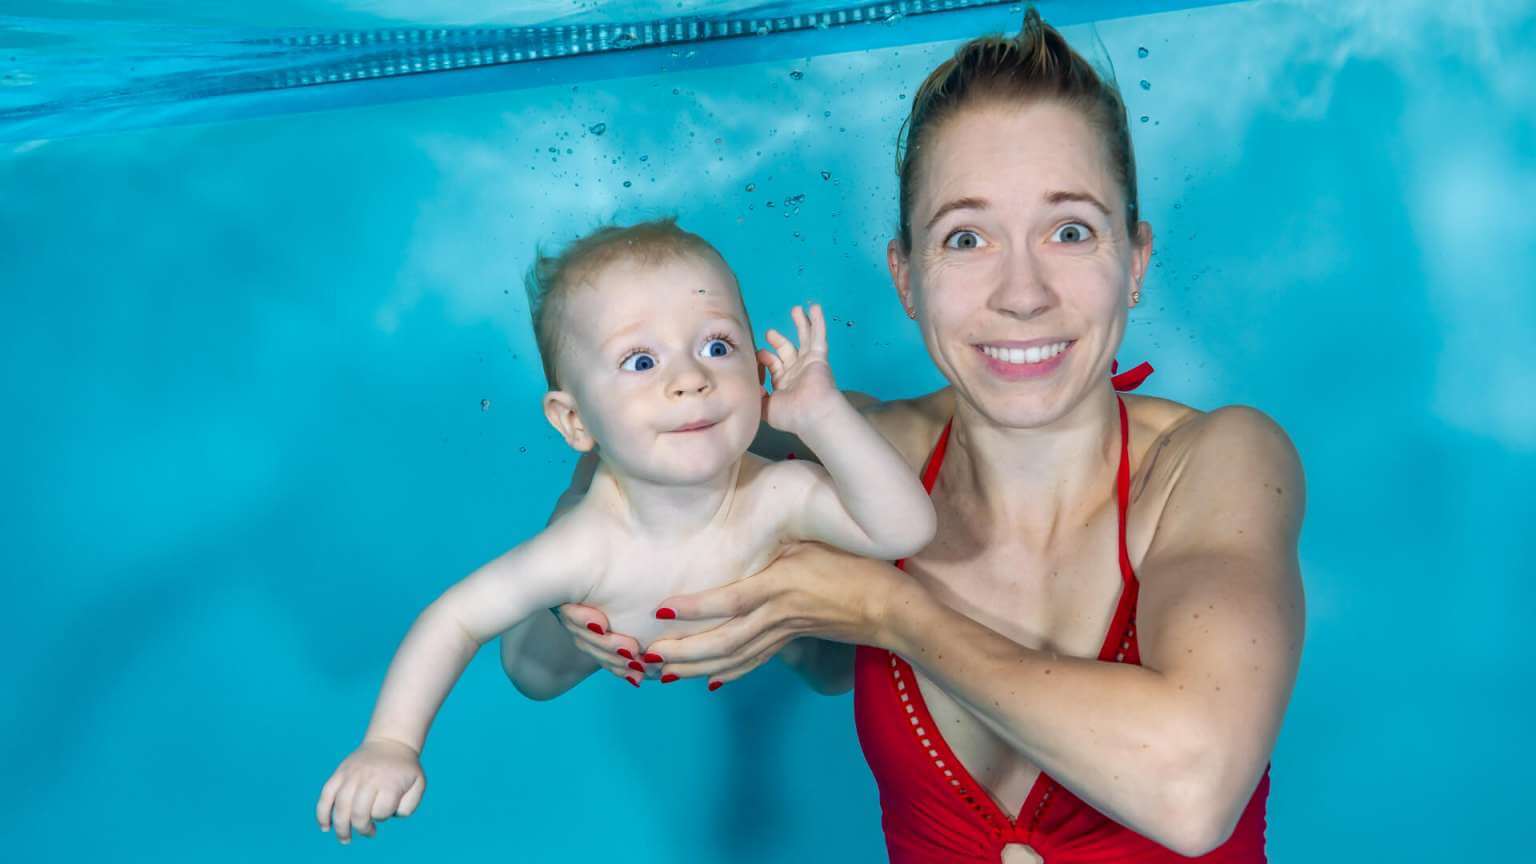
(1117, 736)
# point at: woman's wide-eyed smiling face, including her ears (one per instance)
(1021, 270)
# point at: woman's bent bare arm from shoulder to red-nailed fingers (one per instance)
(1174, 748)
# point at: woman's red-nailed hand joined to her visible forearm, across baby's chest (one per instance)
(810, 591)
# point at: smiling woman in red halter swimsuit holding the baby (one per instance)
(1093, 659)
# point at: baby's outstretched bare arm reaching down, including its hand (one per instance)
(383, 777)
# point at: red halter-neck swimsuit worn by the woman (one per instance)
(935, 812)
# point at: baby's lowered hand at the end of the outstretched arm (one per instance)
(377, 782)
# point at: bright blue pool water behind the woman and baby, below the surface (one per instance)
(270, 388)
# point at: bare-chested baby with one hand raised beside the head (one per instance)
(650, 364)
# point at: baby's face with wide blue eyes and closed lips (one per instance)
(663, 367)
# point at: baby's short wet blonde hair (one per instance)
(552, 277)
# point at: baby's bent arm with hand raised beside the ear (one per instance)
(867, 500)
